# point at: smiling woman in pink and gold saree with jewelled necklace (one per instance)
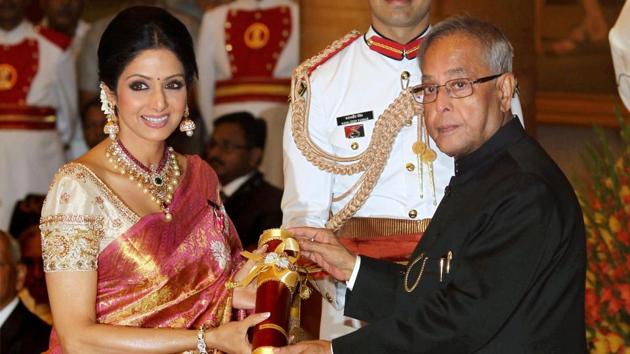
(136, 243)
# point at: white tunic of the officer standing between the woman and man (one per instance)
(357, 82)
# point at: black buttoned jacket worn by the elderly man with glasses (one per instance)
(515, 280)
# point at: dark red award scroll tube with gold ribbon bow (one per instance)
(278, 279)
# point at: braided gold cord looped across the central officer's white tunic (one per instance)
(371, 161)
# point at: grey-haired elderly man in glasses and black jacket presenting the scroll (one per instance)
(501, 266)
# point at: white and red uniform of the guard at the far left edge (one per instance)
(31, 144)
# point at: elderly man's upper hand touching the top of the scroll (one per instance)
(323, 248)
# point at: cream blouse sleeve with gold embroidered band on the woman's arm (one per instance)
(80, 218)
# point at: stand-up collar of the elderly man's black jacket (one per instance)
(504, 138)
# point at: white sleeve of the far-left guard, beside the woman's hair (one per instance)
(67, 97)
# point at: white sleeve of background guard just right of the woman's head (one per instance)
(207, 74)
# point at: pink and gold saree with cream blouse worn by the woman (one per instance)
(151, 273)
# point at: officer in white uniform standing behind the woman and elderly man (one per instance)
(350, 88)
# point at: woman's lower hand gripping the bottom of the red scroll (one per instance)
(232, 337)
